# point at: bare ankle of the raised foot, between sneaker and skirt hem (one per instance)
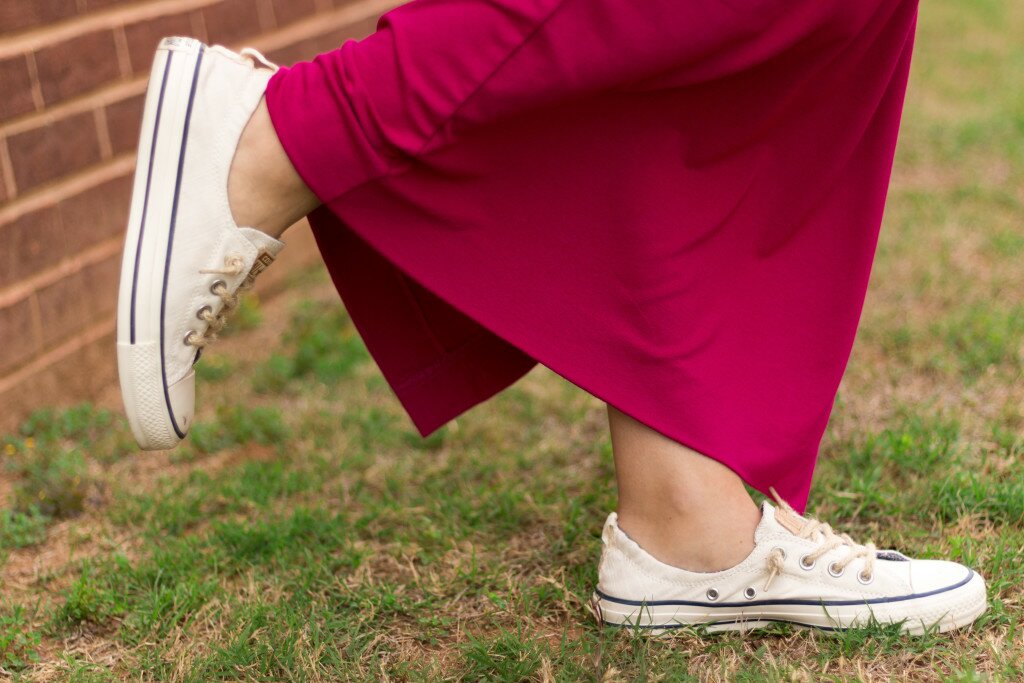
(265, 191)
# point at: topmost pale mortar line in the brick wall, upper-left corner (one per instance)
(45, 36)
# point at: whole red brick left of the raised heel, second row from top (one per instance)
(77, 66)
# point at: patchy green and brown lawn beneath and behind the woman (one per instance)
(307, 532)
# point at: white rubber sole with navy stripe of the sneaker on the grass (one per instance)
(949, 609)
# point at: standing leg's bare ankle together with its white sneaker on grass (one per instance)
(689, 547)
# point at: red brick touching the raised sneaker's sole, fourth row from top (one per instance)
(97, 215)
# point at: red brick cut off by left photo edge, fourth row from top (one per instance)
(34, 243)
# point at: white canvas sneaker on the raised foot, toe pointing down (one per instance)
(185, 257)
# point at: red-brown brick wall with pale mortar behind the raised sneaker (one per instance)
(73, 74)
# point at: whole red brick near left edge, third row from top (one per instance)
(54, 151)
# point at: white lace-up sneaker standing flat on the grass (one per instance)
(800, 573)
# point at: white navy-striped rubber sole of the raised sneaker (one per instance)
(149, 244)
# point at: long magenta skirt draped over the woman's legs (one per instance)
(673, 204)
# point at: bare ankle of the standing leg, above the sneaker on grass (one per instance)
(686, 509)
